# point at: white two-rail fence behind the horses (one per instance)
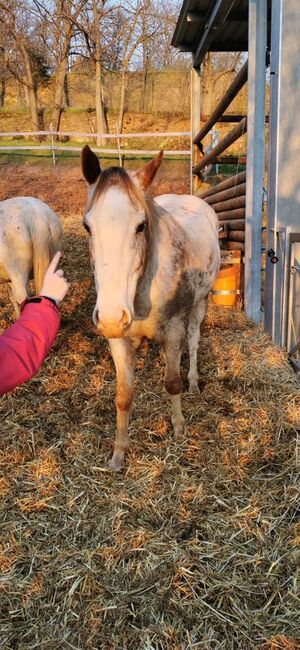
(121, 152)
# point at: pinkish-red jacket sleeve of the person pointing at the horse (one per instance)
(24, 345)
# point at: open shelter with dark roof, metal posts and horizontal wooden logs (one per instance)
(267, 31)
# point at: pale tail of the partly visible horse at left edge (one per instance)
(45, 232)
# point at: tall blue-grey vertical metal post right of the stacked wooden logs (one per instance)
(255, 154)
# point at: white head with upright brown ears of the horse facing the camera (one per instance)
(118, 222)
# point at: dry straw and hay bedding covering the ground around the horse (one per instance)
(196, 544)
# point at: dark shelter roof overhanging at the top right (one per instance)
(213, 26)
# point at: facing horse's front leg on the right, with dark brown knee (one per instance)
(173, 344)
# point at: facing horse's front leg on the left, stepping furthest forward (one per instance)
(123, 353)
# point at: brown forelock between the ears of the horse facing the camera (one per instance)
(119, 177)
